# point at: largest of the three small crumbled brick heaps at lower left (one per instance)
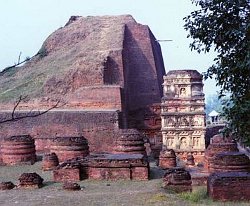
(30, 180)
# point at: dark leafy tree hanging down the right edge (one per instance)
(225, 27)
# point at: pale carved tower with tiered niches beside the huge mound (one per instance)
(182, 113)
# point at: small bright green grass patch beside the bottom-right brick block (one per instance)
(195, 196)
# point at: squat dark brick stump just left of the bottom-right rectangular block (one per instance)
(177, 179)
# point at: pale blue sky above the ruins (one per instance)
(25, 25)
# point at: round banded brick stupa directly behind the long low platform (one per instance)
(130, 141)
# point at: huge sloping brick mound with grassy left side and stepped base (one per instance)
(106, 71)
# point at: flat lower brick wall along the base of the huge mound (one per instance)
(97, 126)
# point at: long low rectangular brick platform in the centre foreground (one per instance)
(106, 167)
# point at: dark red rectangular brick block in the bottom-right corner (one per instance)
(229, 186)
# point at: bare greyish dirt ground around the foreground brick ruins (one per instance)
(98, 193)
